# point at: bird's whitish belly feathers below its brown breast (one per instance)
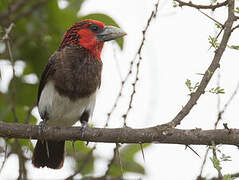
(60, 110)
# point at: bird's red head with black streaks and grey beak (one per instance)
(91, 35)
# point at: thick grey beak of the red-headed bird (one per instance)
(110, 33)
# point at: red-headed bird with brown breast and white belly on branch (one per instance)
(69, 85)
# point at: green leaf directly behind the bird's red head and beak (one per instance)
(107, 20)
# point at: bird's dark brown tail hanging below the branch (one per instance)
(49, 154)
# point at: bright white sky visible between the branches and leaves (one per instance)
(176, 49)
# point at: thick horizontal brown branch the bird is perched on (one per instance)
(157, 134)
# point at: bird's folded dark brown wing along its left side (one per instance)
(48, 72)
